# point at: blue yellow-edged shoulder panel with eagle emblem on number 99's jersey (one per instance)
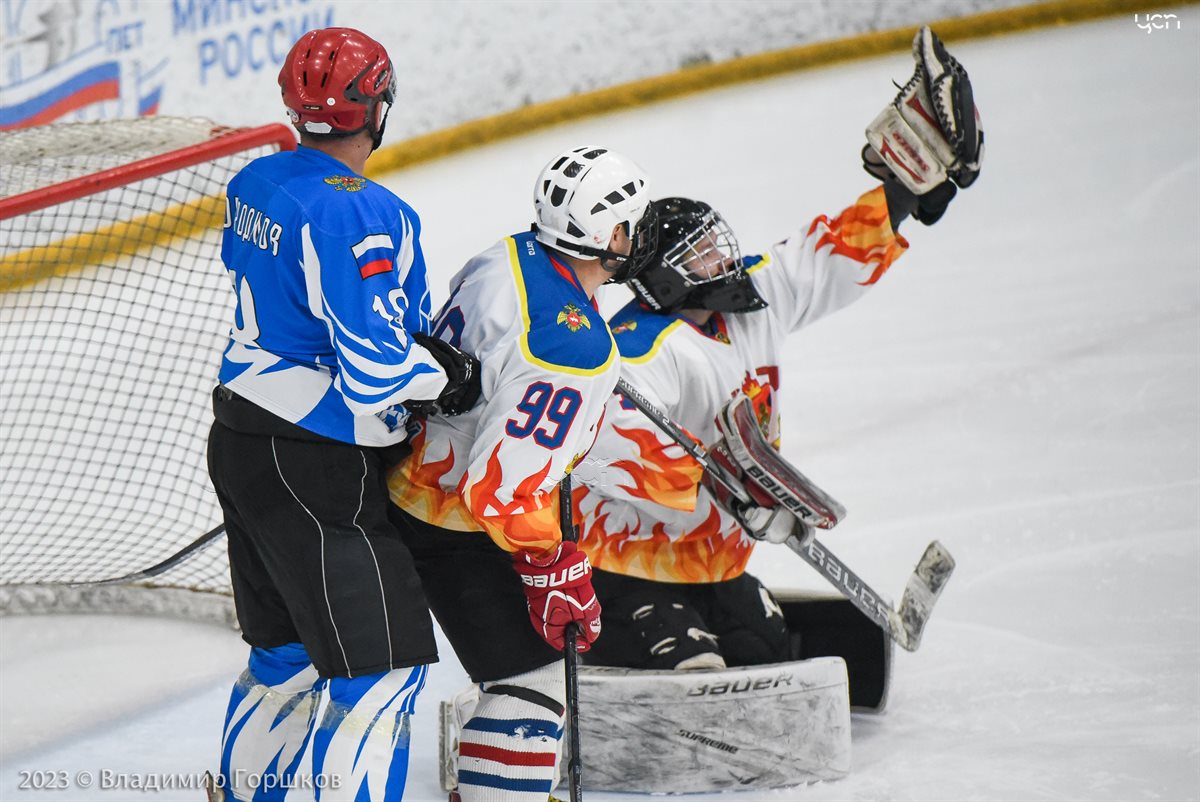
(563, 331)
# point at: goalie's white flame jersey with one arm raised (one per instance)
(638, 494)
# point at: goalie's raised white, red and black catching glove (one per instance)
(928, 140)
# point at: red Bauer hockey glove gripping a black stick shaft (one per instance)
(559, 589)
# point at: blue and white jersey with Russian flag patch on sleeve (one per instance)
(329, 279)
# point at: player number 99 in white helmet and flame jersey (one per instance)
(479, 496)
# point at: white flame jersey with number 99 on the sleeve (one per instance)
(549, 367)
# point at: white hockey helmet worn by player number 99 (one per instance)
(583, 195)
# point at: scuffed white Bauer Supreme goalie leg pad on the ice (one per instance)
(740, 729)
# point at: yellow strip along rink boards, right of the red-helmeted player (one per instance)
(753, 68)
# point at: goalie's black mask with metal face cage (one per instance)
(697, 262)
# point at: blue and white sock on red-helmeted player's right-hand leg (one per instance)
(361, 745)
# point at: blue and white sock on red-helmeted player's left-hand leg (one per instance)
(268, 722)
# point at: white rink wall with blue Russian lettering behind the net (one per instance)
(458, 61)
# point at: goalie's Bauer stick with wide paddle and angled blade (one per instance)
(904, 626)
